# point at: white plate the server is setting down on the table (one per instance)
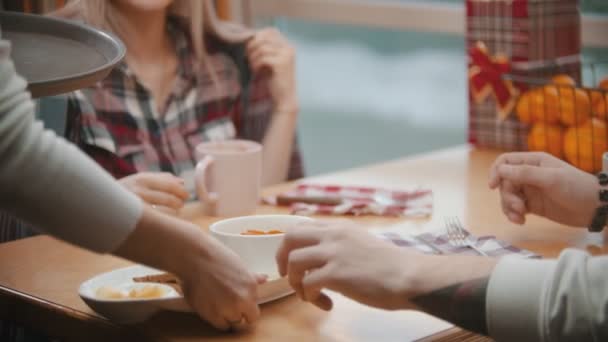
(128, 311)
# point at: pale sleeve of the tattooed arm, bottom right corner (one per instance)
(549, 300)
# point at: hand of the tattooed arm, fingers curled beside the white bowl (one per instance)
(343, 257)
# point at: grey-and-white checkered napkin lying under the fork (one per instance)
(489, 244)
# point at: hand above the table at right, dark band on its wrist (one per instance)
(538, 183)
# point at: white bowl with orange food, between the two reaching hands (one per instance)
(257, 251)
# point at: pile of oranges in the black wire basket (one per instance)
(567, 121)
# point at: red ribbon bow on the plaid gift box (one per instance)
(485, 79)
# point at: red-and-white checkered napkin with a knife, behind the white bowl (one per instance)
(361, 201)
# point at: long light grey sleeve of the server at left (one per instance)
(50, 183)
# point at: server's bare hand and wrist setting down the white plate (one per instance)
(216, 283)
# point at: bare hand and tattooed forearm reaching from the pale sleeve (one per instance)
(343, 257)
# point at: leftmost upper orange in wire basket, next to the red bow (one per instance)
(539, 105)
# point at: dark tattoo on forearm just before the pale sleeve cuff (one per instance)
(462, 304)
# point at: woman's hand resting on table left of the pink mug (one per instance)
(163, 191)
